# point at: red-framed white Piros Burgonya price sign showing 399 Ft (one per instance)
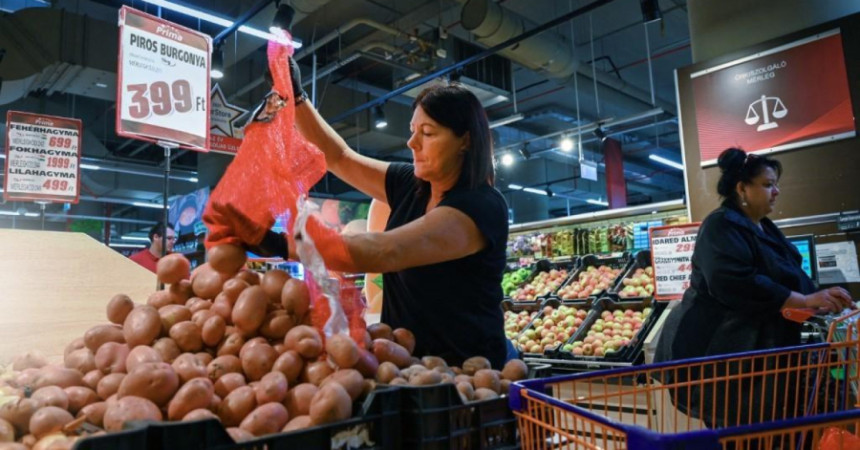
(163, 88)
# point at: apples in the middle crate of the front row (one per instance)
(535, 331)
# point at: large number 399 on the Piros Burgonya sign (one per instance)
(159, 98)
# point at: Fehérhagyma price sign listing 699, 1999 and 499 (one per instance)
(43, 158)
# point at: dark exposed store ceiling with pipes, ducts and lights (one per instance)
(605, 68)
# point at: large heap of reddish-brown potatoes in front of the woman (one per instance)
(226, 344)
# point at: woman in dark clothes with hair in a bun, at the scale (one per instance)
(744, 273)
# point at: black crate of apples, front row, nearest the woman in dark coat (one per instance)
(630, 351)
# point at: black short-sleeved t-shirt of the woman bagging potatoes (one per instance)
(452, 307)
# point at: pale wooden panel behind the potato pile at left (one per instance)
(54, 286)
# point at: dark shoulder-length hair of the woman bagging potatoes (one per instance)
(455, 107)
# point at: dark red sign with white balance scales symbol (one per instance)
(763, 102)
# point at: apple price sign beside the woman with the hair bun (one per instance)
(671, 256)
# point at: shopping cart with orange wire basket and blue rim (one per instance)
(785, 398)
